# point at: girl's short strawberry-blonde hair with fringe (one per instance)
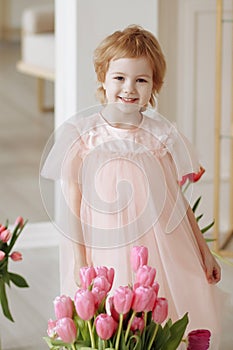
(132, 42)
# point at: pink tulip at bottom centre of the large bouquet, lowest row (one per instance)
(105, 326)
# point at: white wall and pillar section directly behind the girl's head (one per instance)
(80, 26)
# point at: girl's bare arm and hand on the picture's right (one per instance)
(212, 268)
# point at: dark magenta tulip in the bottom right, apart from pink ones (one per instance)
(199, 339)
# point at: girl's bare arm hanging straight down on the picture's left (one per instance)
(79, 250)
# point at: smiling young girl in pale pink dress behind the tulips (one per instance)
(120, 171)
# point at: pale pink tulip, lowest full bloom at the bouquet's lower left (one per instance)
(66, 330)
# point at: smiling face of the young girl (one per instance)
(129, 83)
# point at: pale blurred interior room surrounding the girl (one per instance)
(34, 100)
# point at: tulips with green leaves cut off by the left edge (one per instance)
(7, 242)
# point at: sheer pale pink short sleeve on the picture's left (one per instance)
(63, 160)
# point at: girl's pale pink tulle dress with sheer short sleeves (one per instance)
(130, 196)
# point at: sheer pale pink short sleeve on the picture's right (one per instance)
(183, 155)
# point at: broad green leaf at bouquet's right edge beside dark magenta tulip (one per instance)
(177, 331)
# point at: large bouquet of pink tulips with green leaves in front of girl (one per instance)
(132, 318)
